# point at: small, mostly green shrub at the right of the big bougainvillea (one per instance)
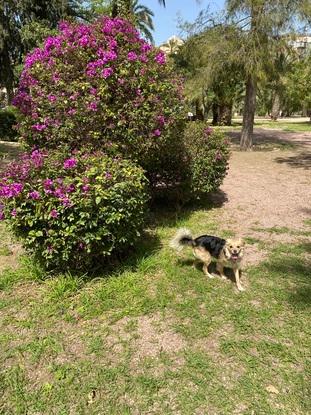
(207, 157)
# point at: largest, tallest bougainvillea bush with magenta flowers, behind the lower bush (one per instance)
(100, 85)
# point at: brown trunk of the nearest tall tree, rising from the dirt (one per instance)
(246, 142)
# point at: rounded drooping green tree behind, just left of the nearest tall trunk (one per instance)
(213, 74)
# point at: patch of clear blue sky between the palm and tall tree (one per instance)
(165, 19)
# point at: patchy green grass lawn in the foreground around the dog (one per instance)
(155, 336)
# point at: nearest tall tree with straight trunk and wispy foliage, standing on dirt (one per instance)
(266, 24)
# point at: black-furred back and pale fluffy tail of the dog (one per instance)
(212, 244)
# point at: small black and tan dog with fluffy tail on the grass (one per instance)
(228, 253)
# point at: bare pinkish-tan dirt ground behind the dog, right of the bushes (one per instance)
(267, 189)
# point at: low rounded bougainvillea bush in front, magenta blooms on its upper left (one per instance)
(71, 211)
